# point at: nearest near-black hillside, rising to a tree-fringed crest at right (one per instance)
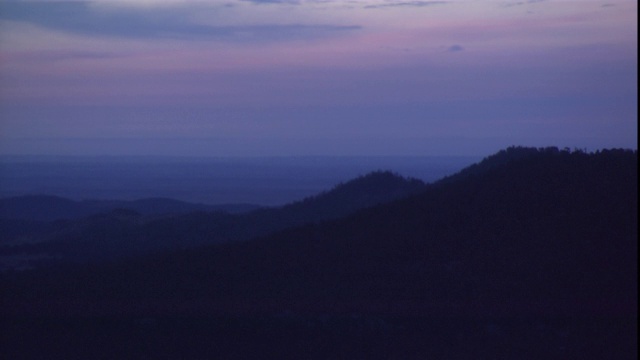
(533, 258)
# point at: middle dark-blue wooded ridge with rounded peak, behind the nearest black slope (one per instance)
(109, 235)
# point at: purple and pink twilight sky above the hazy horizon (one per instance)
(316, 77)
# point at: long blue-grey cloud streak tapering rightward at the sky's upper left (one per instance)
(158, 23)
